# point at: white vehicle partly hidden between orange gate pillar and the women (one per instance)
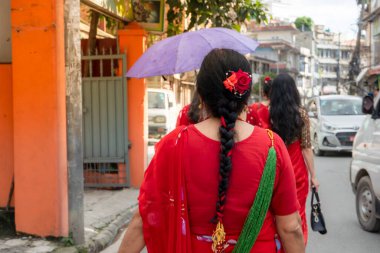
(162, 113)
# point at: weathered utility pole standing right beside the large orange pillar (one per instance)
(74, 119)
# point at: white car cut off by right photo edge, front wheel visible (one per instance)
(365, 169)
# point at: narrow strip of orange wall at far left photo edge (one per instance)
(6, 132)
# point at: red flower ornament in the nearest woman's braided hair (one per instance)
(238, 82)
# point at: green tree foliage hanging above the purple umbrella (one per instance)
(215, 13)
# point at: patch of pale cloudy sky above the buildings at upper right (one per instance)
(339, 16)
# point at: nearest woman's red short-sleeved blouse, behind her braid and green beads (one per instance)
(248, 160)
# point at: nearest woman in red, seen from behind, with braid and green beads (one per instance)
(221, 185)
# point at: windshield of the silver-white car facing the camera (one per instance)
(341, 107)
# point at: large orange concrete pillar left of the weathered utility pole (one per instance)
(40, 157)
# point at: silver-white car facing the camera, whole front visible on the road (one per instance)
(334, 121)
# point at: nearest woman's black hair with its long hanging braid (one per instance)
(222, 103)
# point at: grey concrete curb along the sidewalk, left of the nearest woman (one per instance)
(107, 235)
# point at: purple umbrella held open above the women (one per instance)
(185, 52)
